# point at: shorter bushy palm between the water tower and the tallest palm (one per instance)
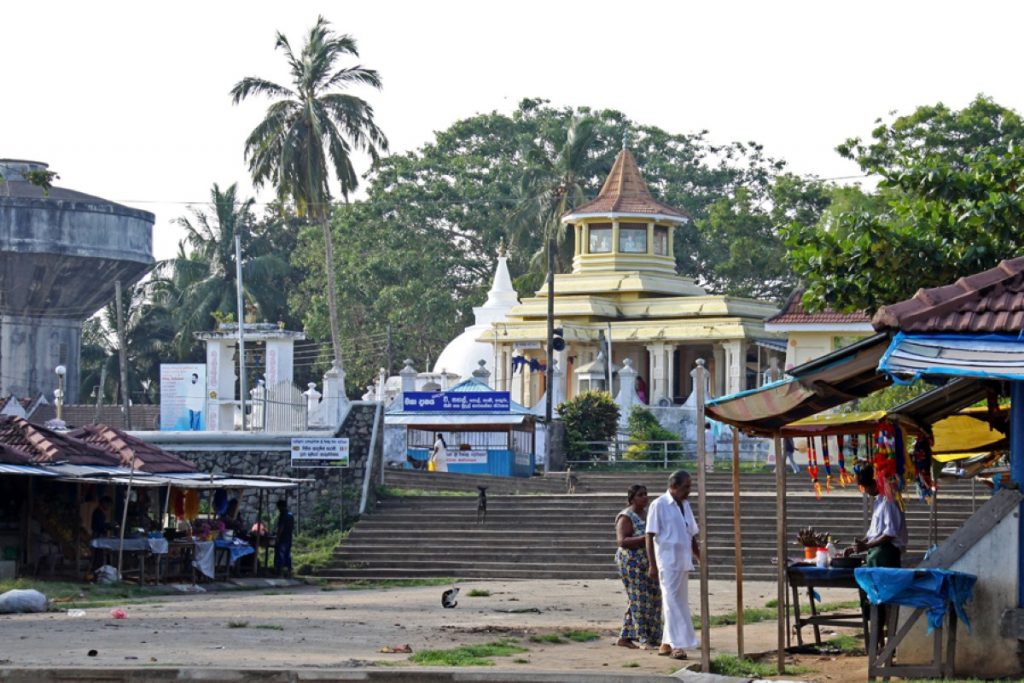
(202, 277)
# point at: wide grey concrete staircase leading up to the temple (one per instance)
(573, 537)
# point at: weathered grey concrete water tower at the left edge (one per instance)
(61, 252)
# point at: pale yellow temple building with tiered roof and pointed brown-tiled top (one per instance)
(625, 289)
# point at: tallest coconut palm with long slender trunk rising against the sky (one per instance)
(311, 131)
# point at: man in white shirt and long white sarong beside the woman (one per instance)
(672, 545)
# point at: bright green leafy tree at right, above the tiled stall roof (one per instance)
(949, 205)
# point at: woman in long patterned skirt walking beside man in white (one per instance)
(643, 621)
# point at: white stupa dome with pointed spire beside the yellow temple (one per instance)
(463, 355)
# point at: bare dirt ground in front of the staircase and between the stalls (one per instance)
(332, 627)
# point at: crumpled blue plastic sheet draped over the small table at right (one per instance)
(931, 589)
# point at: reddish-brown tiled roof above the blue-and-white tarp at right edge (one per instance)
(992, 302)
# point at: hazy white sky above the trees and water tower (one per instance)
(129, 101)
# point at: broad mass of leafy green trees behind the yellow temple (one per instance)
(431, 226)
